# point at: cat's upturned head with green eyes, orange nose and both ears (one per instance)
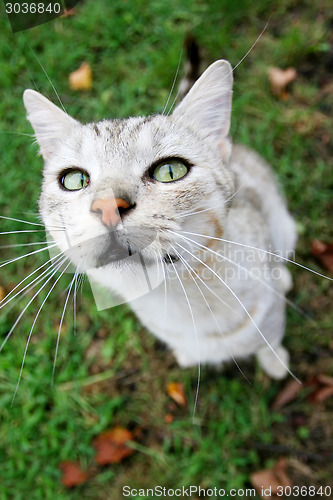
(117, 187)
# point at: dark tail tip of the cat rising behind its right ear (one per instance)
(193, 66)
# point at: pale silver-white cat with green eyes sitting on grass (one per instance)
(169, 201)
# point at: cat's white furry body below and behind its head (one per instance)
(255, 218)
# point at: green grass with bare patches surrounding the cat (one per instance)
(134, 48)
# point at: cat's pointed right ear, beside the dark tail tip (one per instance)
(207, 106)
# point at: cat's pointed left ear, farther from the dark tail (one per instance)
(51, 124)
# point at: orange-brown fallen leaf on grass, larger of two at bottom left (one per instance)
(111, 446)
